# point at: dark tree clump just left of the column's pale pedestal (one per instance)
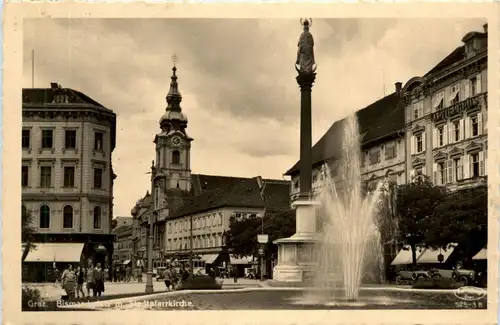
(242, 235)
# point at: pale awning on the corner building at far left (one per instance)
(55, 252)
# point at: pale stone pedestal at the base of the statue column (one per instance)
(296, 261)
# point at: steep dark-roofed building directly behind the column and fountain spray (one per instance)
(382, 137)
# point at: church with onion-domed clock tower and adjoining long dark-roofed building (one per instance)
(193, 210)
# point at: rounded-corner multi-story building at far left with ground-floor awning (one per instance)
(67, 176)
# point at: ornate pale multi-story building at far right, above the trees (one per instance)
(446, 117)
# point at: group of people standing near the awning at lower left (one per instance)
(72, 281)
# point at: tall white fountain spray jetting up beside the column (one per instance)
(349, 244)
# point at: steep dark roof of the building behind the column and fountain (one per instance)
(379, 120)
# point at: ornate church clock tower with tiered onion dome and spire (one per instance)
(173, 145)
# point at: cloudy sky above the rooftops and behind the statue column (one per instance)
(237, 79)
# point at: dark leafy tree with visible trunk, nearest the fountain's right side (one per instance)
(415, 204)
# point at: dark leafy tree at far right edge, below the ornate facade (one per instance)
(462, 218)
